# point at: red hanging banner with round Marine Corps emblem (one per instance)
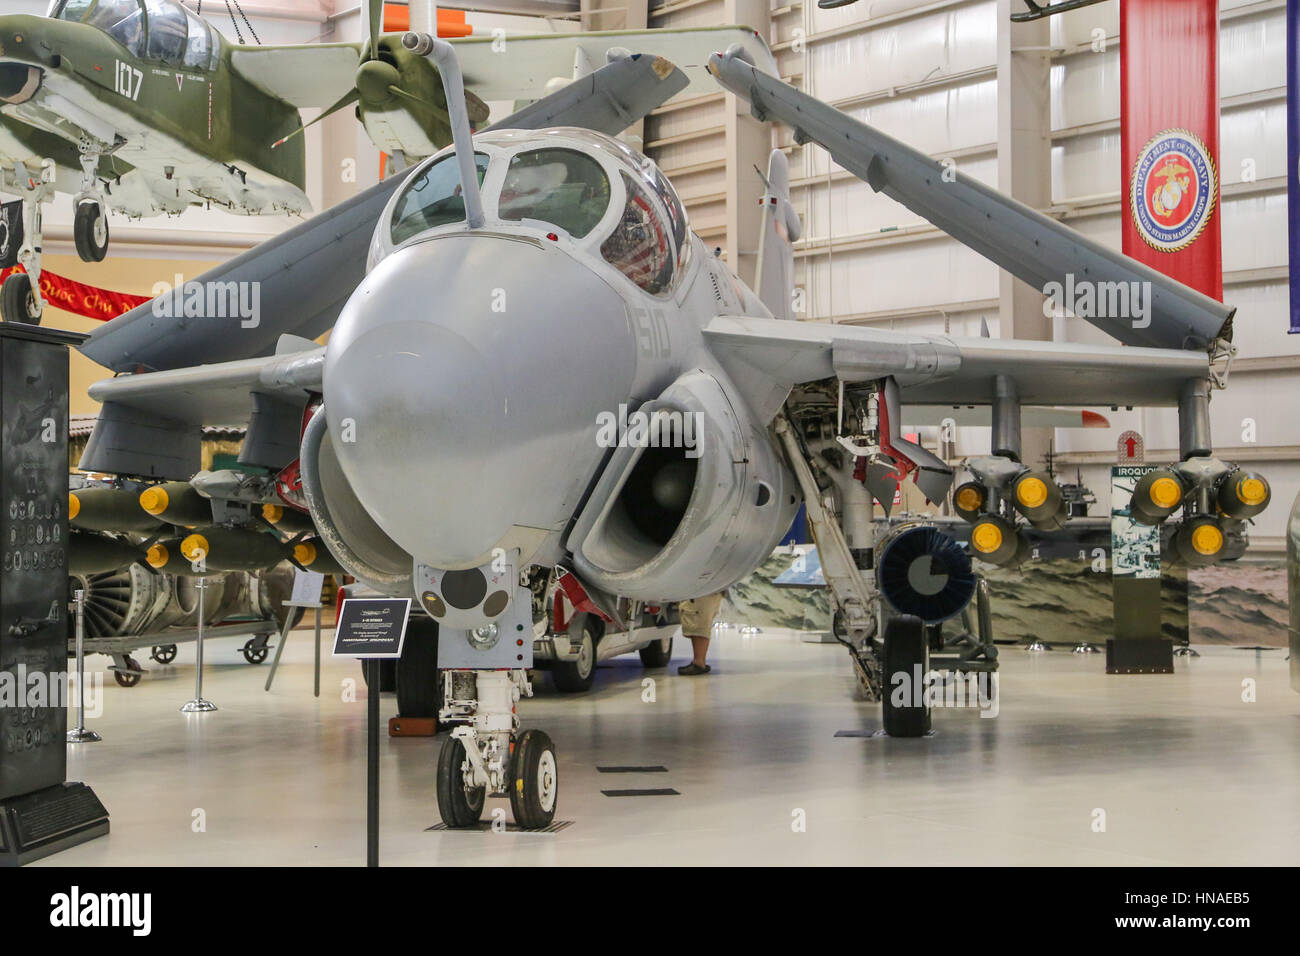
(1169, 137)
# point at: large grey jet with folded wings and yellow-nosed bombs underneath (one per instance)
(449, 447)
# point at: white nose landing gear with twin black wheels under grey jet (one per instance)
(488, 754)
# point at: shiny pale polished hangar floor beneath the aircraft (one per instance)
(1078, 768)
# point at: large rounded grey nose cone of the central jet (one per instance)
(462, 387)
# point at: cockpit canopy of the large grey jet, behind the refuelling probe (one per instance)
(592, 188)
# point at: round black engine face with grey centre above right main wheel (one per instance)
(925, 573)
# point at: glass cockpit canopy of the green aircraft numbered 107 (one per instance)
(159, 31)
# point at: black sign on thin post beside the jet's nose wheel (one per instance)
(374, 630)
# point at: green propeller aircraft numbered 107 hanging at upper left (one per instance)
(141, 107)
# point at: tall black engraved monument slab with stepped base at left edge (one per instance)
(40, 814)
